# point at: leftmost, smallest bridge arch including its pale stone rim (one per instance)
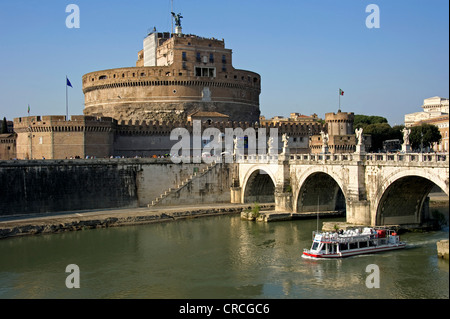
(258, 185)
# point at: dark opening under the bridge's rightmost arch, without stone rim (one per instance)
(406, 201)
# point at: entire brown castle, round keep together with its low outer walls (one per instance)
(178, 78)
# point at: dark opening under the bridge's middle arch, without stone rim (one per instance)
(320, 192)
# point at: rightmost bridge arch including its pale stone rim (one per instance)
(400, 198)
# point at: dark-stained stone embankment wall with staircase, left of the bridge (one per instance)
(43, 186)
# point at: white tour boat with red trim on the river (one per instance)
(352, 242)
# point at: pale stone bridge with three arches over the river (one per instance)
(374, 189)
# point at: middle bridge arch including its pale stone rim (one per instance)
(319, 189)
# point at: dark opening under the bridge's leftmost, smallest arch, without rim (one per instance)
(260, 188)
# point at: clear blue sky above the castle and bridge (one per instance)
(304, 50)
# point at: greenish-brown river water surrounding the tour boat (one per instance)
(217, 257)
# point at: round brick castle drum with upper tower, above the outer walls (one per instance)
(175, 76)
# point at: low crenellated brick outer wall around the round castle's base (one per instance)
(52, 137)
